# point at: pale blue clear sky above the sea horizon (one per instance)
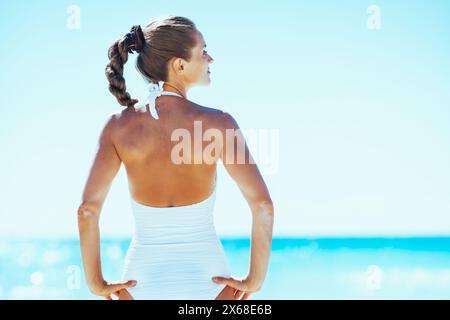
(362, 114)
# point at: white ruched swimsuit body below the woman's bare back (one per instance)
(174, 252)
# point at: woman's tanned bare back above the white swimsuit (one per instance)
(145, 147)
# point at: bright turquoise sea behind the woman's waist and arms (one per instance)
(323, 268)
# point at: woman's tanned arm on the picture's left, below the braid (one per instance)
(104, 168)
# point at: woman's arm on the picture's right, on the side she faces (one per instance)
(252, 186)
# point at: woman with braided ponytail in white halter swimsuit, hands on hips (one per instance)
(175, 252)
